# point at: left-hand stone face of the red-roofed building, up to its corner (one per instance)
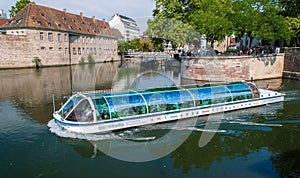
(19, 50)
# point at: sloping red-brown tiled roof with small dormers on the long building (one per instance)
(41, 17)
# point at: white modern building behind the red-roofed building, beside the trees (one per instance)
(127, 26)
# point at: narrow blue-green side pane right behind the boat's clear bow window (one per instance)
(102, 110)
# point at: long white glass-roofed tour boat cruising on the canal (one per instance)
(99, 112)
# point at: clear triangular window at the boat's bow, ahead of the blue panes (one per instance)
(82, 113)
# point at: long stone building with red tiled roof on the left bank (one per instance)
(56, 37)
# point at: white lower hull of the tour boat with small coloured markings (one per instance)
(134, 121)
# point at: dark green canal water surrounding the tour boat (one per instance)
(256, 142)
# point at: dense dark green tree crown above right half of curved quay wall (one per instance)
(261, 20)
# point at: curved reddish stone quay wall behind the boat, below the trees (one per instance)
(233, 68)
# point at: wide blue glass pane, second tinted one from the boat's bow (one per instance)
(128, 105)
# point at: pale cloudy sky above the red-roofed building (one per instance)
(139, 10)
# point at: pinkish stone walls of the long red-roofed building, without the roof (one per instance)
(19, 47)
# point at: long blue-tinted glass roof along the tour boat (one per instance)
(134, 102)
